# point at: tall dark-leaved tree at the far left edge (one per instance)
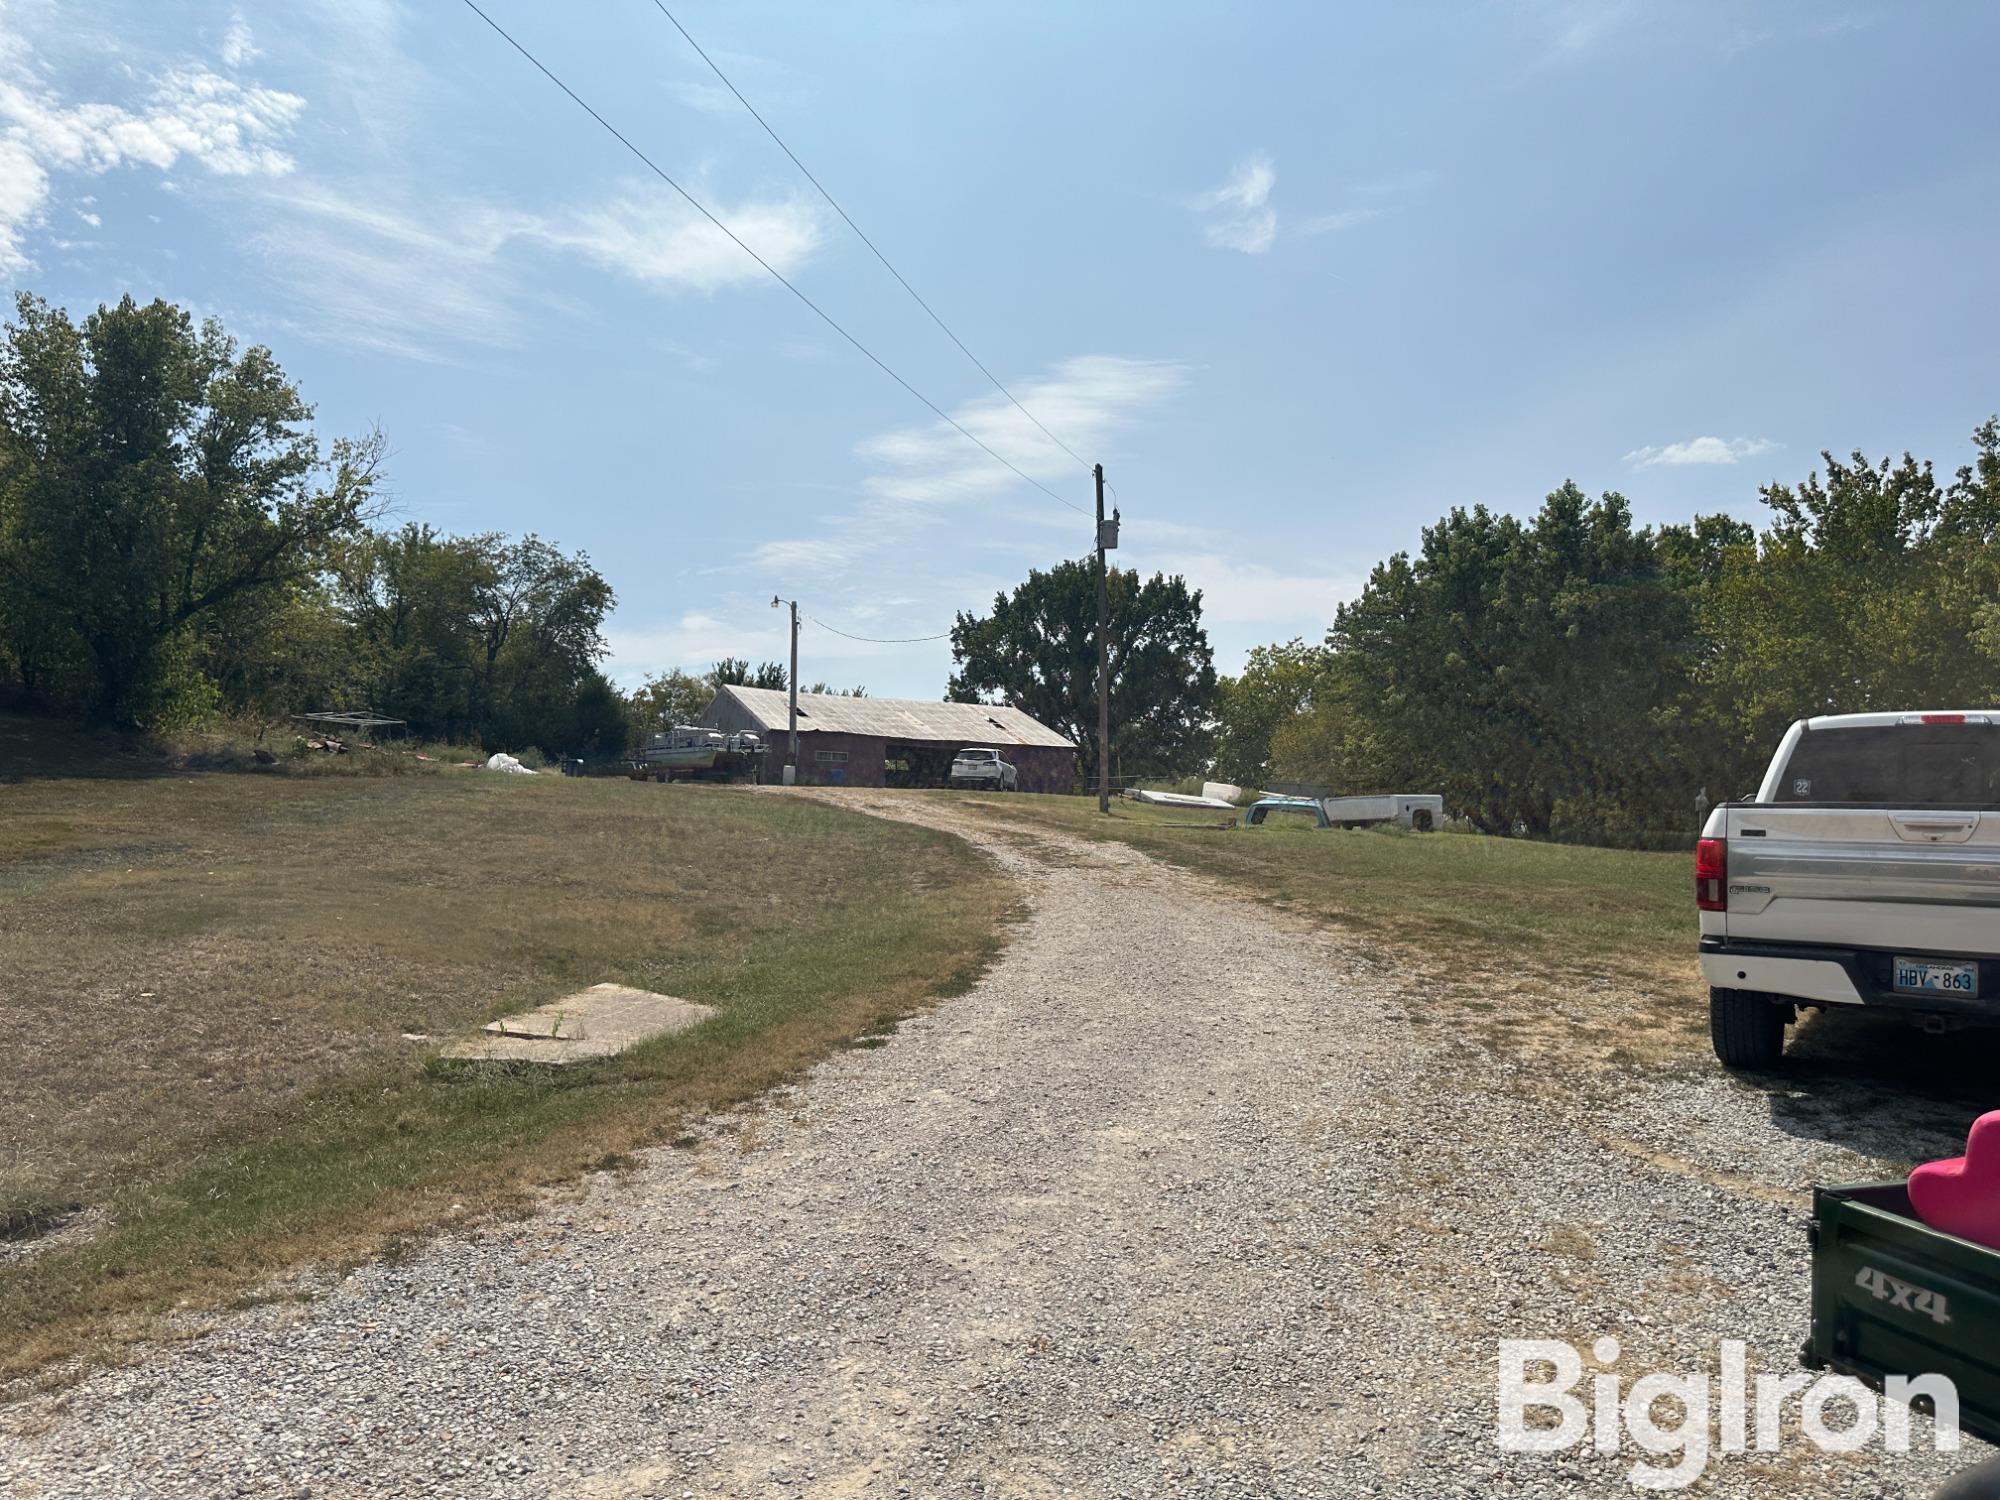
(151, 477)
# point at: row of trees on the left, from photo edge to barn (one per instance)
(177, 547)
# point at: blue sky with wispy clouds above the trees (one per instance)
(1301, 277)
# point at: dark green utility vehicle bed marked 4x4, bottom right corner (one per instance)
(1893, 1297)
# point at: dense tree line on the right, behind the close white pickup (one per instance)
(1579, 677)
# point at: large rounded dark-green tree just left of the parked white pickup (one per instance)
(1521, 671)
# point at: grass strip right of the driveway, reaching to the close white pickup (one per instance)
(1577, 955)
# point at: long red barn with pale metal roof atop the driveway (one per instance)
(893, 741)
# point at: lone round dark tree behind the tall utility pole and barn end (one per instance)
(1037, 651)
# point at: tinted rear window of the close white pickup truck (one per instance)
(1897, 765)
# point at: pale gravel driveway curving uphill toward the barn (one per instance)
(1177, 1201)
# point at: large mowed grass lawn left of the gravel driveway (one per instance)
(209, 981)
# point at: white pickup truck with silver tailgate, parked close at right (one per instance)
(1867, 873)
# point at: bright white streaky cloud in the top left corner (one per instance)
(191, 113)
